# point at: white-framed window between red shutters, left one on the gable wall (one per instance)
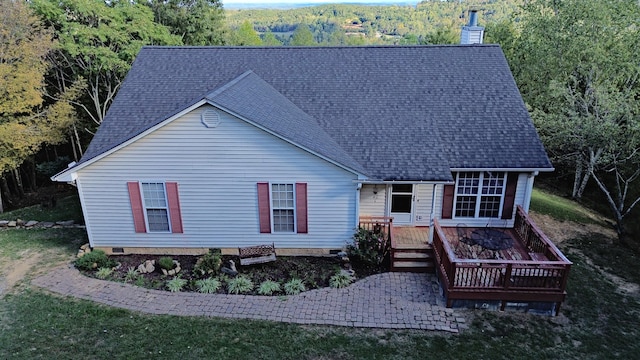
(156, 209)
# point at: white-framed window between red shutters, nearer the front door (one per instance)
(283, 208)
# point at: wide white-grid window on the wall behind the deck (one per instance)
(479, 194)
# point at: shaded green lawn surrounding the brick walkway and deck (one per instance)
(596, 322)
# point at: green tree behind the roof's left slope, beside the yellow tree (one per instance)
(97, 43)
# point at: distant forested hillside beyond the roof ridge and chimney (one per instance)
(426, 22)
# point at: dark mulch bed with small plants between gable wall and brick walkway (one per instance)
(314, 271)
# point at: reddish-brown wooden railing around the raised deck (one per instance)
(504, 280)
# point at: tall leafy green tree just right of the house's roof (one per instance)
(572, 54)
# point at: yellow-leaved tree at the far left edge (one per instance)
(27, 119)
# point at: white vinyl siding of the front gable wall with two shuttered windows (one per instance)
(217, 169)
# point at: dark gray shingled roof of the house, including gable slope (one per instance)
(395, 113)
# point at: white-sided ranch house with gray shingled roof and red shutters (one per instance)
(225, 147)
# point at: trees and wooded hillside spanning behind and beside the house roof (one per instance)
(575, 63)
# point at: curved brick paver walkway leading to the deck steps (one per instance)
(389, 300)
